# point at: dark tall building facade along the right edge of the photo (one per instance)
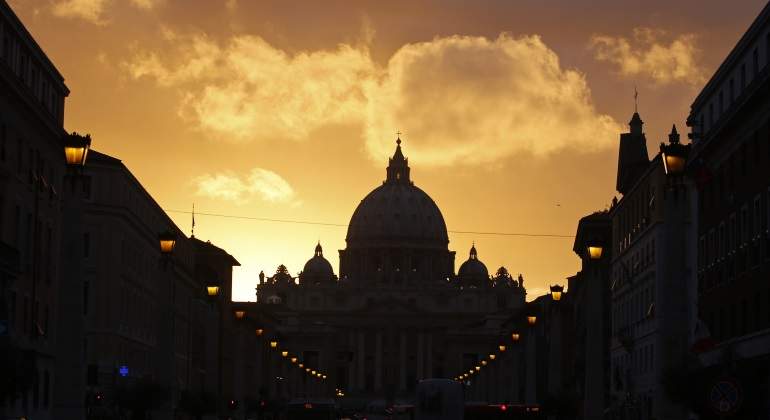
(730, 120)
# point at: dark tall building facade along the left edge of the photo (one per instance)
(32, 94)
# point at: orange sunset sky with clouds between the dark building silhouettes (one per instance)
(510, 110)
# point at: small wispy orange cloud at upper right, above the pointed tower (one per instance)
(652, 54)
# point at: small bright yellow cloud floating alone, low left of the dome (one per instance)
(262, 183)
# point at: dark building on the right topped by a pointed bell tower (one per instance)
(651, 289)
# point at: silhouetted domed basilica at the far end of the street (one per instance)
(397, 312)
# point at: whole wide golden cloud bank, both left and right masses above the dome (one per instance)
(460, 99)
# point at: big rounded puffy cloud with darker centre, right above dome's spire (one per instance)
(474, 100)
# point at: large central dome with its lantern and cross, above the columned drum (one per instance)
(397, 213)
